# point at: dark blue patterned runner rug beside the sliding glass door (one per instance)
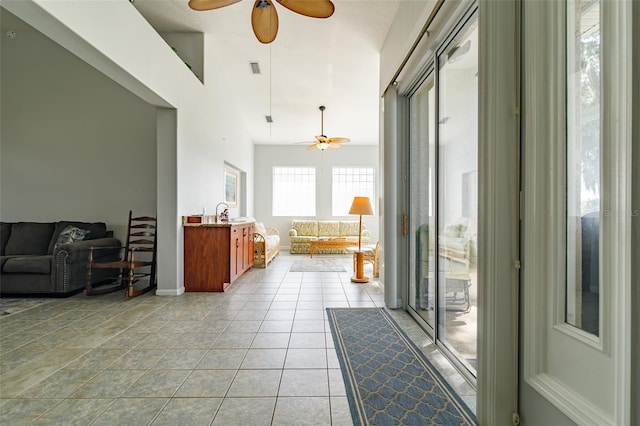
(389, 381)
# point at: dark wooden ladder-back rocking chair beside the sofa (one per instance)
(138, 260)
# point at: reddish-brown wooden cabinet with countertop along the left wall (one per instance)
(215, 255)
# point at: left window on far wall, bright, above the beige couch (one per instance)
(294, 191)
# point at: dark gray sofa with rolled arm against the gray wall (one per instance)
(31, 263)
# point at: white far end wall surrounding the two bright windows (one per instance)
(280, 155)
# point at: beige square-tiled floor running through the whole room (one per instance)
(259, 354)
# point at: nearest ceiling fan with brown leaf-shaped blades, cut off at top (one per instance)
(264, 18)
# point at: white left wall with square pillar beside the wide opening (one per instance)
(208, 129)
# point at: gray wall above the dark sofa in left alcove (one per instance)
(74, 145)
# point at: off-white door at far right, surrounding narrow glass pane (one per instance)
(587, 377)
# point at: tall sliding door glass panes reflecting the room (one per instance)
(443, 162)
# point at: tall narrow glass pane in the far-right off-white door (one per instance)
(583, 164)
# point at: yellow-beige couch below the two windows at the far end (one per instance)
(304, 231)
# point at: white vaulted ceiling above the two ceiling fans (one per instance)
(332, 62)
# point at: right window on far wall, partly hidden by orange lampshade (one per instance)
(349, 182)
